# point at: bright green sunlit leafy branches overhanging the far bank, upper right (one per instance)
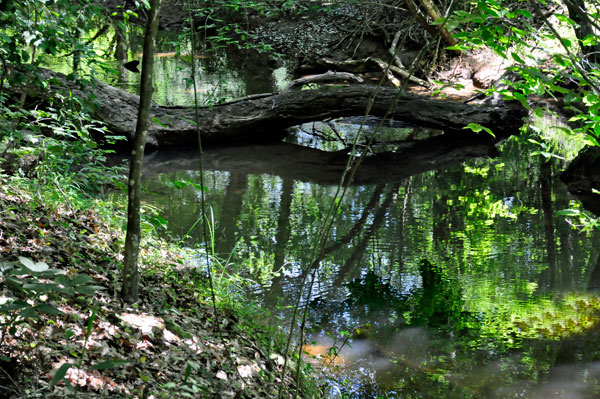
(548, 58)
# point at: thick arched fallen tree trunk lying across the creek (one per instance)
(266, 116)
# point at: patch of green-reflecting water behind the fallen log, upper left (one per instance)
(223, 75)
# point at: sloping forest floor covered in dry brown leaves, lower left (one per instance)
(170, 344)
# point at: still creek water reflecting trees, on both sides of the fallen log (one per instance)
(457, 282)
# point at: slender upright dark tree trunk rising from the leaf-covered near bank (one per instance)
(131, 275)
